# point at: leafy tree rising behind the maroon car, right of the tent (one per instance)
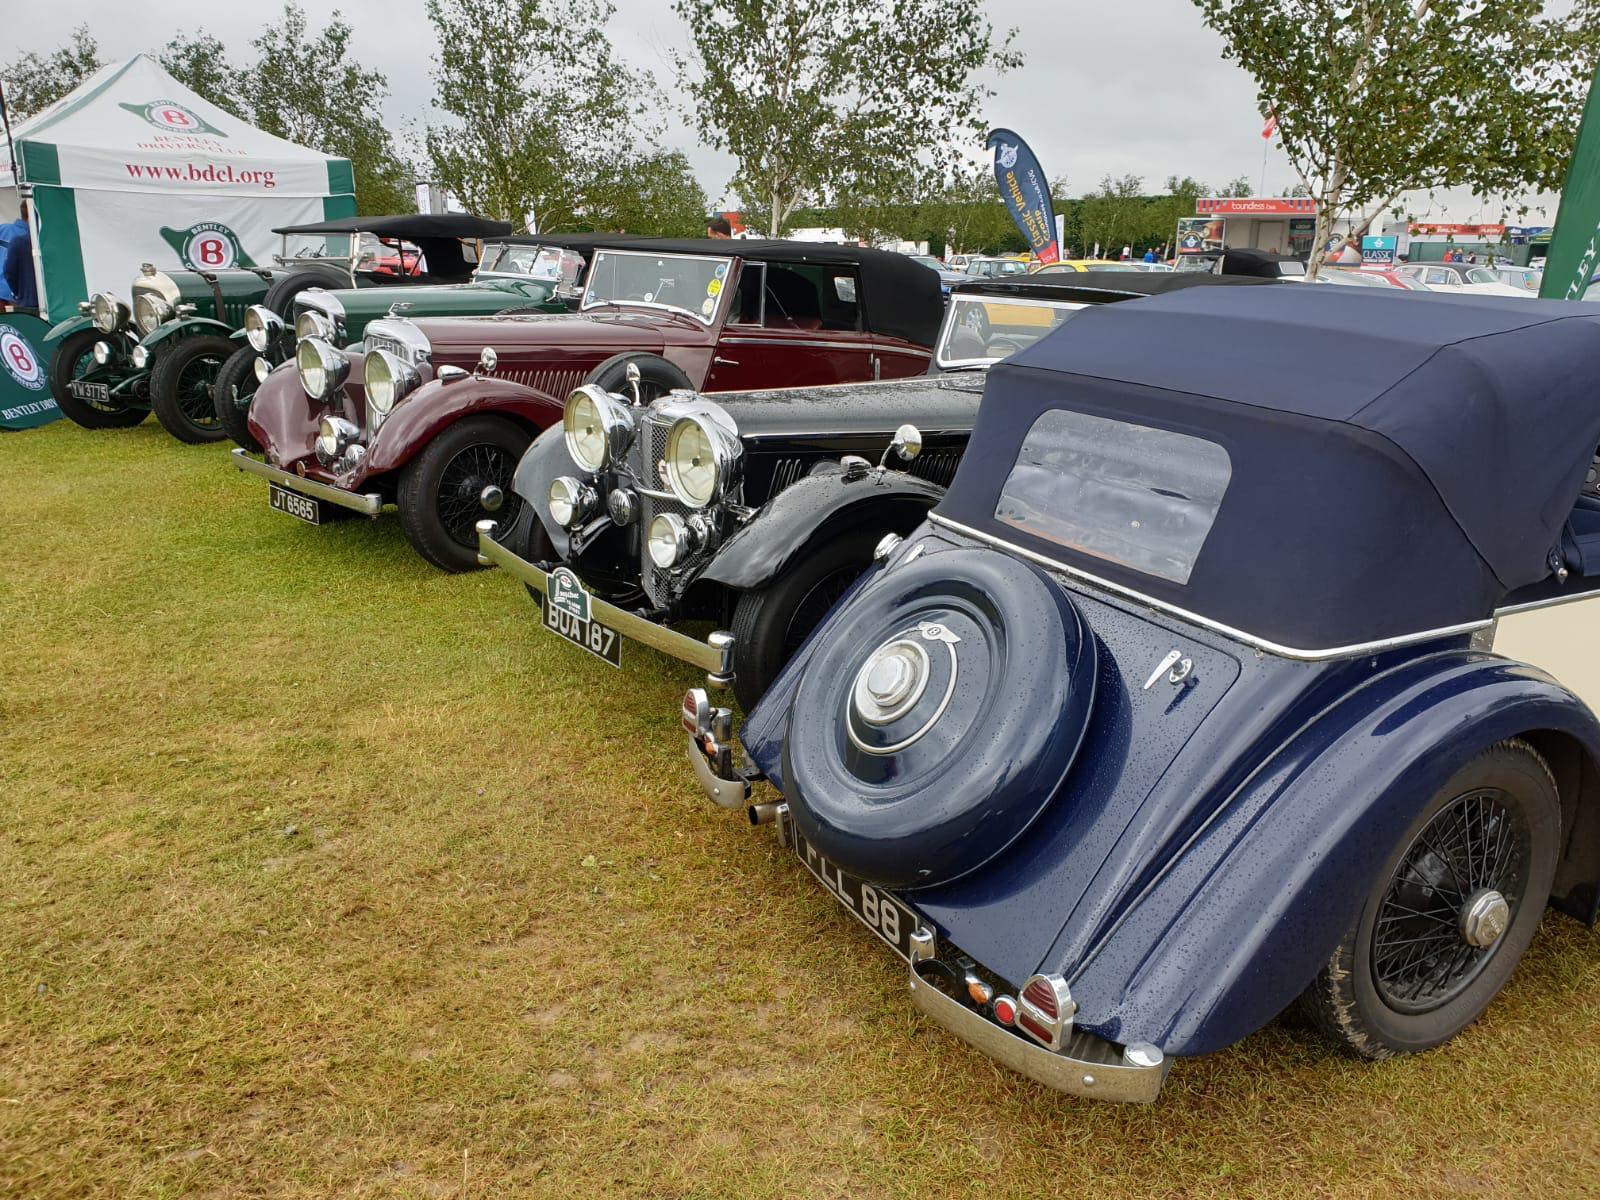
(542, 118)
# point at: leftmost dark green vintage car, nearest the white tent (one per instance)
(162, 353)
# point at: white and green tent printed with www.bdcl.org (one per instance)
(134, 167)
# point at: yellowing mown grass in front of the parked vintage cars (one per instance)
(326, 874)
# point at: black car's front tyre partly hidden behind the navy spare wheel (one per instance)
(774, 622)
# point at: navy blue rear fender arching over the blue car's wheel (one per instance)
(1246, 916)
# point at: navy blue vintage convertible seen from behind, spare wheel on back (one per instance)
(1223, 676)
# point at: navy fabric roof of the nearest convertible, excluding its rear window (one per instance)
(1399, 462)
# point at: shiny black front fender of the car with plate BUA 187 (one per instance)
(815, 510)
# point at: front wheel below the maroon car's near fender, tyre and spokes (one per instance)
(442, 489)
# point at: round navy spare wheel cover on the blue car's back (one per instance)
(938, 716)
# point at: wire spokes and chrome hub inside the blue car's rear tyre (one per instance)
(1455, 892)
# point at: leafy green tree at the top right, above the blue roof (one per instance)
(1388, 97)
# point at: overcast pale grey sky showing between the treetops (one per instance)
(1111, 87)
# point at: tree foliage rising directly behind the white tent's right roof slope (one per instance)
(308, 89)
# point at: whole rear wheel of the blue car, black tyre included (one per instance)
(1452, 911)
